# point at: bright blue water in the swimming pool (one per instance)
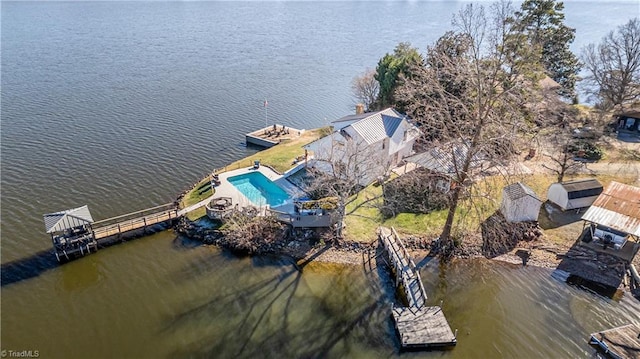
(259, 189)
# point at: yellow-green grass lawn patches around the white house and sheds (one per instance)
(363, 215)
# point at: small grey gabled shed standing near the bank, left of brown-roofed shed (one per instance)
(520, 203)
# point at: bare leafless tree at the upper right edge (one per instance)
(614, 66)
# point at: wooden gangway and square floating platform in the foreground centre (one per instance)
(418, 325)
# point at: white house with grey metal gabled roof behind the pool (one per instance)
(365, 144)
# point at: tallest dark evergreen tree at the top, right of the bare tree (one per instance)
(542, 21)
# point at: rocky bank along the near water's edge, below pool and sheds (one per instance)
(538, 254)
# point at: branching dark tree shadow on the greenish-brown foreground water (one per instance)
(269, 324)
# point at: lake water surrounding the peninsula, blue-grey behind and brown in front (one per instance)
(122, 105)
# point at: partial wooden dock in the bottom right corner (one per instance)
(619, 343)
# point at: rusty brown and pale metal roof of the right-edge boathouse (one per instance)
(617, 207)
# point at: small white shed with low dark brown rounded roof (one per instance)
(574, 194)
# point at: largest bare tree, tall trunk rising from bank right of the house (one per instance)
(470, 92)
